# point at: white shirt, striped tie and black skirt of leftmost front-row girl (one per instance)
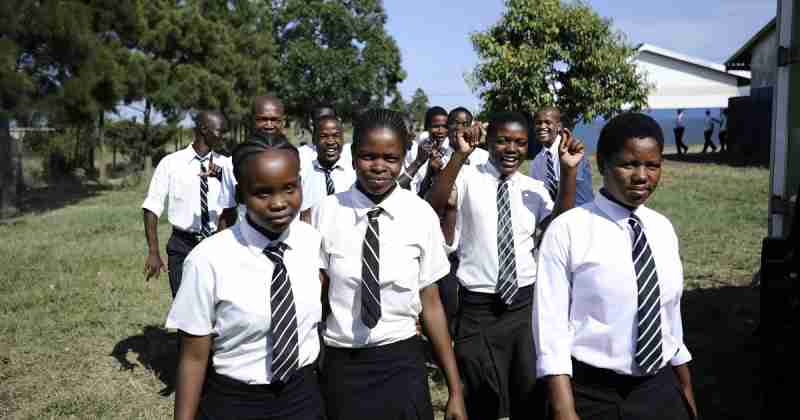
(260, 301)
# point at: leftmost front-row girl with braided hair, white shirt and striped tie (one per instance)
(250, 300)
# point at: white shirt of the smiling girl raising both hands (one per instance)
(476, 225)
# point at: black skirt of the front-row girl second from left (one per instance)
(386, 382)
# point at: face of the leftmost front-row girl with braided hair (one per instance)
(271, 190)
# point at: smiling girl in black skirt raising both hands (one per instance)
(498, 211)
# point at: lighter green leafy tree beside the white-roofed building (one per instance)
(547, 52)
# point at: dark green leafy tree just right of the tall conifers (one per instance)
(335, 51)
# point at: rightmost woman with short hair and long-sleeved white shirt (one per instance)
(607, 320)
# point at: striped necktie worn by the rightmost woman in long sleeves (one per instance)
(648, 337)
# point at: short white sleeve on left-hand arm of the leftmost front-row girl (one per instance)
(193, 308)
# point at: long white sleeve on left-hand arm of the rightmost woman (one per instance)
(551, 329)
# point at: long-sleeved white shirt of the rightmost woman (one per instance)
(586, 295)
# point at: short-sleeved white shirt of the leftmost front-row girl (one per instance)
(225, 292)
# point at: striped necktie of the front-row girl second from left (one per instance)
(370, 271)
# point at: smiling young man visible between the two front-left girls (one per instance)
(329, 172)
